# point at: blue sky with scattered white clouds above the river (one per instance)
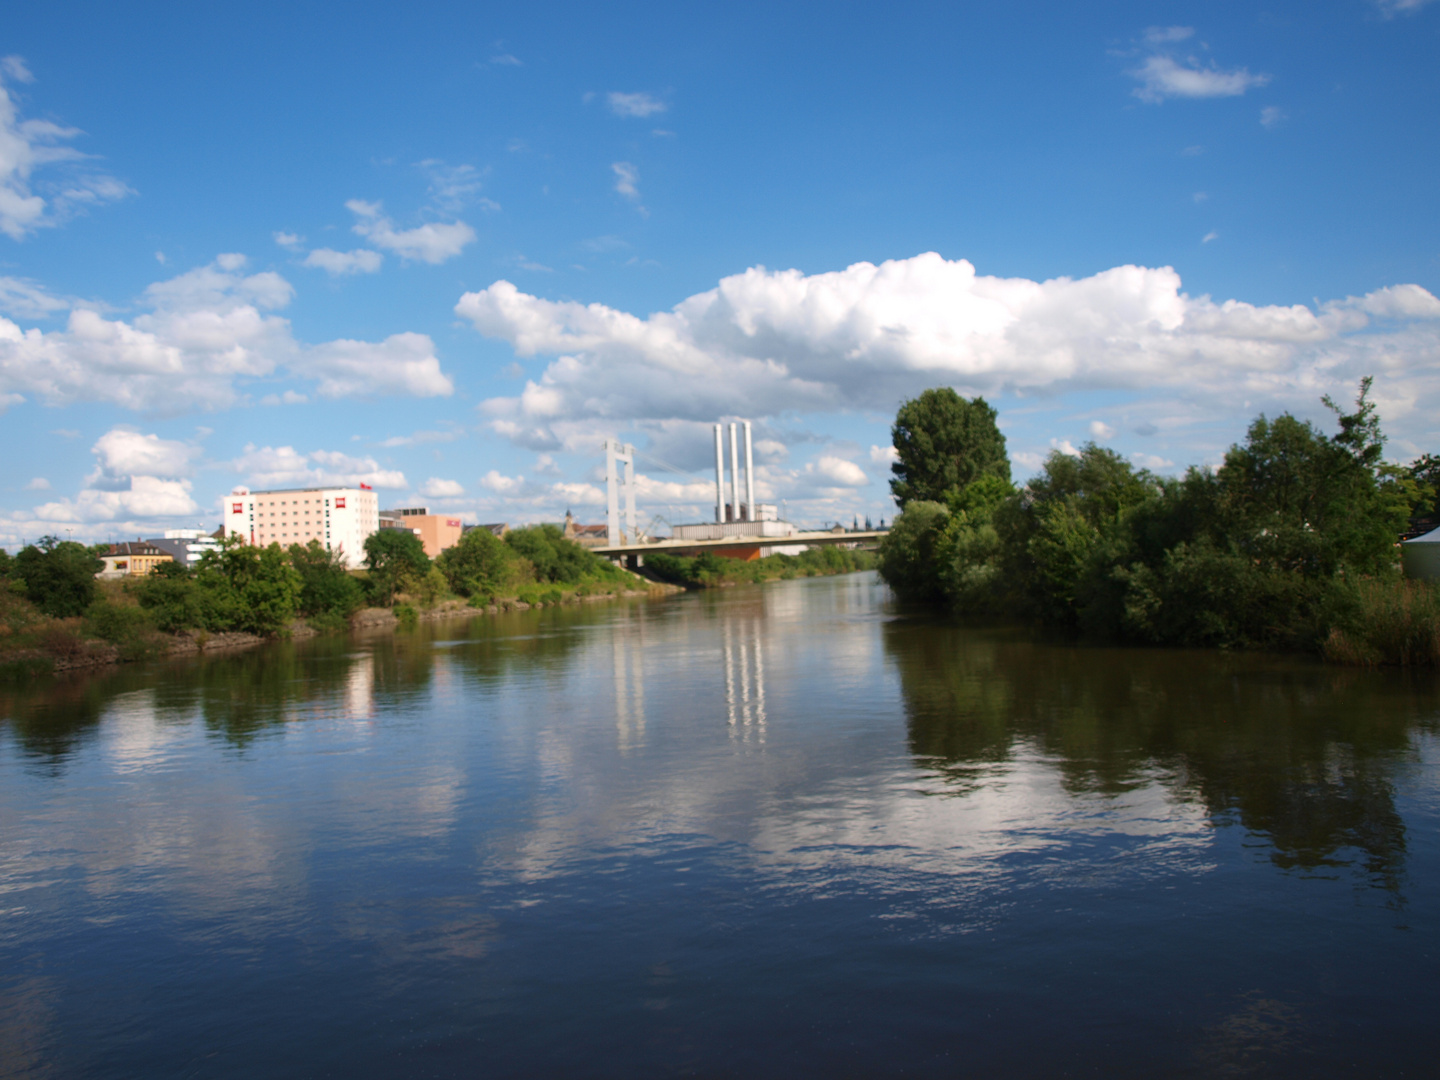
(449, 251)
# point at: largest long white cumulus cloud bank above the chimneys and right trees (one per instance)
(768, 342)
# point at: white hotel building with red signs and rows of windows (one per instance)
(341, 519)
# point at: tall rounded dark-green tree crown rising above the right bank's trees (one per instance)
(944, 444)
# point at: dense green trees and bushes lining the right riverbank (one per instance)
(1290, 545)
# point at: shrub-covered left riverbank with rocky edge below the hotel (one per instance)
(55, 616)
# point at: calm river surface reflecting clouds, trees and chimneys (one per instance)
(771, 832)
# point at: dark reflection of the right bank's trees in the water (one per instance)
(1298, 754)
